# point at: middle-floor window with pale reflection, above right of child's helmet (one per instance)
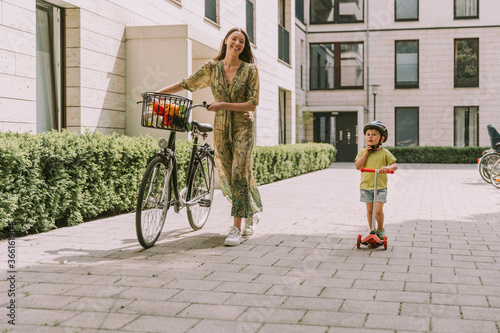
(406, 75)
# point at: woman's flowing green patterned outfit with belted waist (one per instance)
(234, 132)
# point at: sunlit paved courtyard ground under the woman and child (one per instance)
(301, 271)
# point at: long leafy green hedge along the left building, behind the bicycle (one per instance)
(58, 179)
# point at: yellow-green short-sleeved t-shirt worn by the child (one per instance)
(376, 160)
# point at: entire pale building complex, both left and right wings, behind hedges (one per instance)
(428, 69)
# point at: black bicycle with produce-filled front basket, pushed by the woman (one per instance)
(159, 189)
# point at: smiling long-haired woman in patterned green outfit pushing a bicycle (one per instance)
(234, 80)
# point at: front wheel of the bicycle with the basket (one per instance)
(153, 201)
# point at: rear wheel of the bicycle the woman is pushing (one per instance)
(201, 191)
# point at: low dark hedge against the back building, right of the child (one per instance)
(433, 154)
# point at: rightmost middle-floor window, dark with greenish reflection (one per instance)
(466, 63)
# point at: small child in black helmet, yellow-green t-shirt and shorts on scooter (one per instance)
(375, 157)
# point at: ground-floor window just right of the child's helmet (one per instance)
(407, 127)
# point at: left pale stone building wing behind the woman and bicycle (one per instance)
(82, 64)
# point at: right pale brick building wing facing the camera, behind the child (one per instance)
(428, 69)
